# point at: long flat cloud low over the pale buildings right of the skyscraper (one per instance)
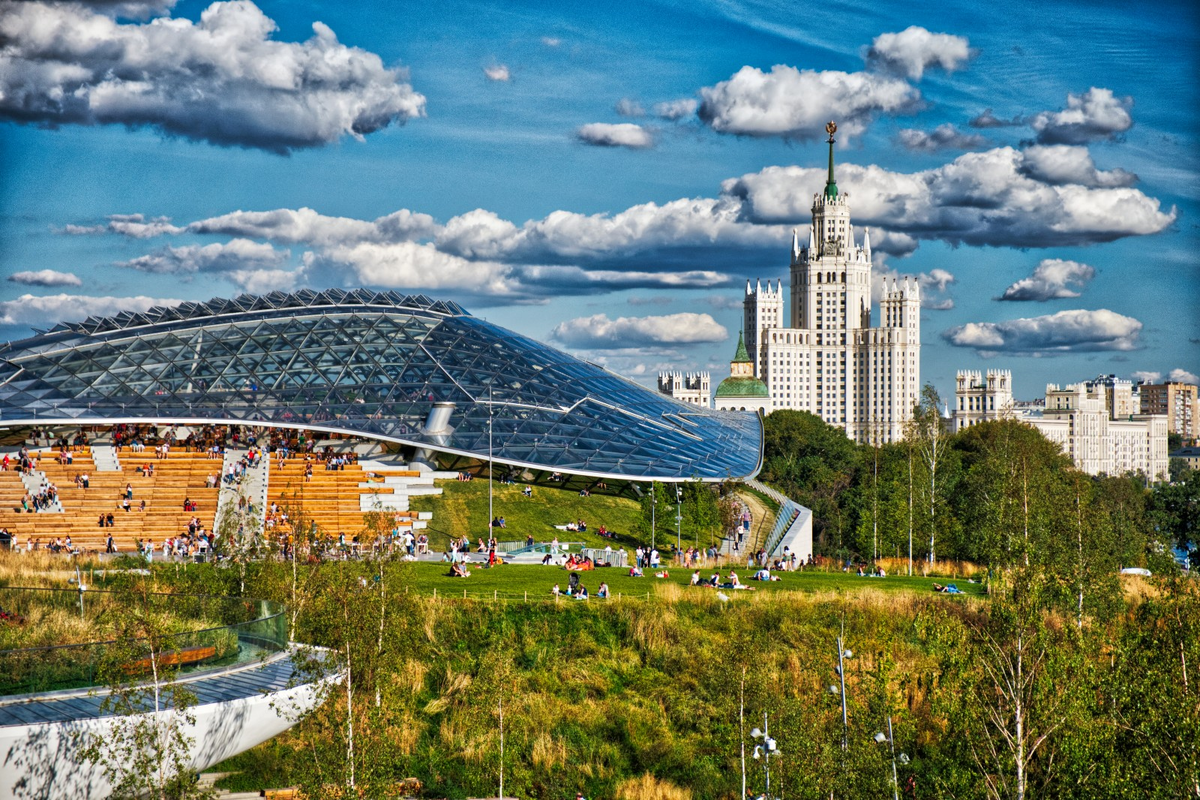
(1067, 332)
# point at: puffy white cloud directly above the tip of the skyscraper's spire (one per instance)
(797, 104)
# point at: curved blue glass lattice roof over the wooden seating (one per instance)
(370, 364)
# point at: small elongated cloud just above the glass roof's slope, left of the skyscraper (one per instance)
(602, 333)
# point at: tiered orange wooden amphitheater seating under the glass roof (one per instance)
(187, 486)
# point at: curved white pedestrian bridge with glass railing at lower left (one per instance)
(244, 683)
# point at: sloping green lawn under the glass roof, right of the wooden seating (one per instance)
(463, 510)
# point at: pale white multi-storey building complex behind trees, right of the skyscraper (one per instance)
(1095, 423)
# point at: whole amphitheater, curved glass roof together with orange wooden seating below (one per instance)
(405, 389)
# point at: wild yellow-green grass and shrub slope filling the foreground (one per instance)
(595, 694)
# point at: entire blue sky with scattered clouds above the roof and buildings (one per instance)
(607, 177)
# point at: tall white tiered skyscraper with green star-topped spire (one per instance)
(830, 360)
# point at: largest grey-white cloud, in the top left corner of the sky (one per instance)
(223, 80)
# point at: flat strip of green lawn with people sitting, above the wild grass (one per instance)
(521, 581)
